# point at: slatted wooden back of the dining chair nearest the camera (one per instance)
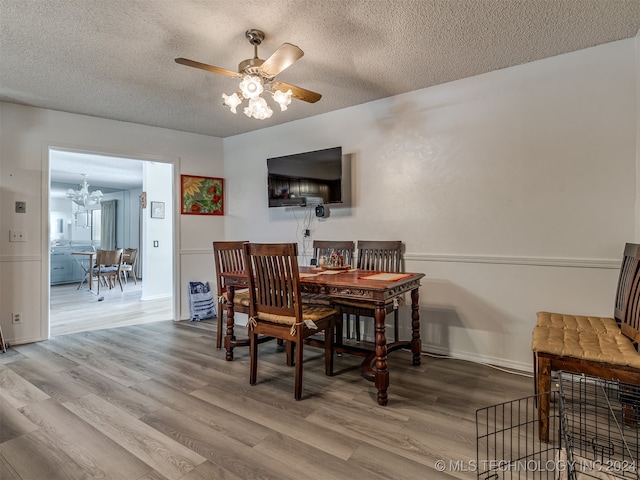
(275, 279)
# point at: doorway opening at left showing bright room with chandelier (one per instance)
(75, 227)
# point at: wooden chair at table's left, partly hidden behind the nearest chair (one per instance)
(228, 257)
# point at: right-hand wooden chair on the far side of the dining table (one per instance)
(383, 256)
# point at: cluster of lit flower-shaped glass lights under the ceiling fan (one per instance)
(251, 88)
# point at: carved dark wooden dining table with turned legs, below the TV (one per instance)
(374, 288)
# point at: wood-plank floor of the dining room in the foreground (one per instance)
(158, 401)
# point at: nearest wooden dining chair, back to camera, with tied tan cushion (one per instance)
(276, 309)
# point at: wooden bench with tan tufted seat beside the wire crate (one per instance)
(599, 346)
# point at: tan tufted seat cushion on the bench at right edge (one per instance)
(612, 348)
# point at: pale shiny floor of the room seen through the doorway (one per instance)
(72, 310)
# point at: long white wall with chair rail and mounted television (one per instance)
(513, 191)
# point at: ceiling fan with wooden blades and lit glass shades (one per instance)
(258, 76)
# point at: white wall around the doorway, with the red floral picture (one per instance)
(26, 134)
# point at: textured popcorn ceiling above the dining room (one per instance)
(115, 58)
